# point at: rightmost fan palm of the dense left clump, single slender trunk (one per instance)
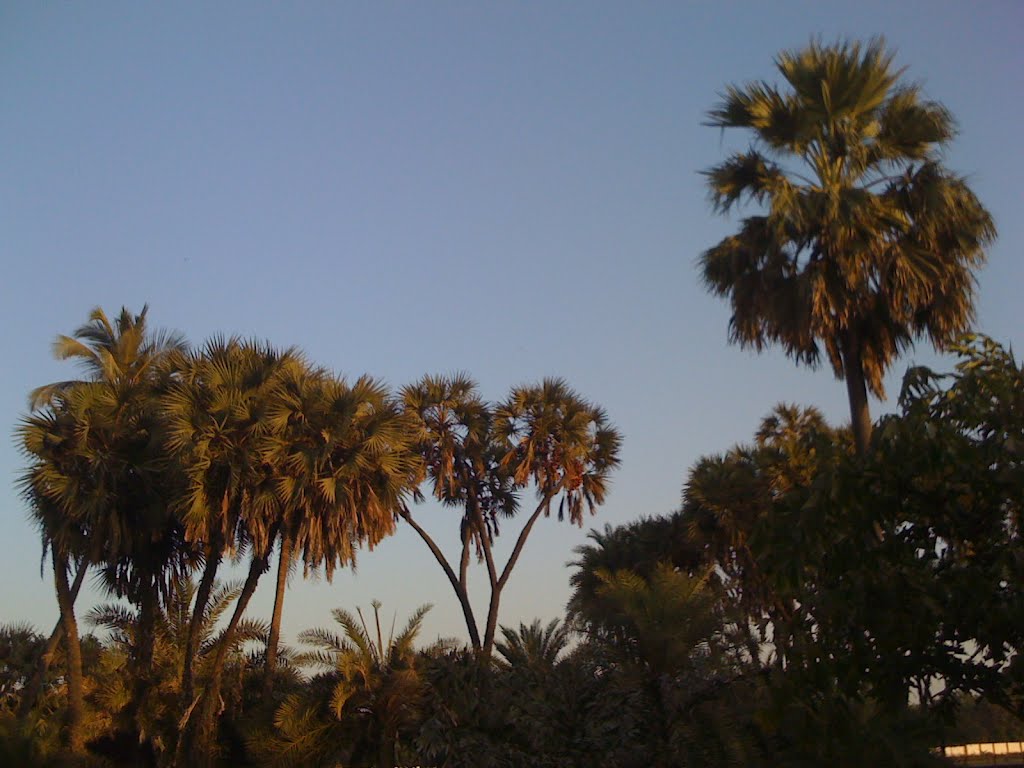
(343, 461)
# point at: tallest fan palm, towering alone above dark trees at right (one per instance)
(866, 242)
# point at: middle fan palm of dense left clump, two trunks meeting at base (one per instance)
(218, 417)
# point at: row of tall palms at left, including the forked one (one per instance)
(163, 462)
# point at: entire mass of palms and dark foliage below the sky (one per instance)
(841, 596)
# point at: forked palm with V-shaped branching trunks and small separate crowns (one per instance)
(481, 457)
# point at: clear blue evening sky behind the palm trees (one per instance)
(509, 190)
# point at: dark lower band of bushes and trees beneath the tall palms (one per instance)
(782, 617)
